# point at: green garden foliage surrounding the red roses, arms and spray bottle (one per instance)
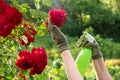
(101, 18)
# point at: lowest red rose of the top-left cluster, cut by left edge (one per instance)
(5, 27)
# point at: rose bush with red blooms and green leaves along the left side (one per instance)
(17, 33)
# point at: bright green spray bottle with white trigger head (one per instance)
(83, 59)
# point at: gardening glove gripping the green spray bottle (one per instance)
(96, 53)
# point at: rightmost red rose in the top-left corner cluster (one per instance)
(13, 15)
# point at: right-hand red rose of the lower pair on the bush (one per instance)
(40, 60)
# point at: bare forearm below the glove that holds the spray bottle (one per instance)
(100, 69)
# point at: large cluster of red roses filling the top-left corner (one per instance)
(9, 18)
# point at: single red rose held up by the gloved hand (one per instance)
(57, 16)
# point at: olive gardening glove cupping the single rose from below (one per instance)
(59, 38)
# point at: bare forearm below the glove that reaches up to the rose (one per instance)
(70, 66)
